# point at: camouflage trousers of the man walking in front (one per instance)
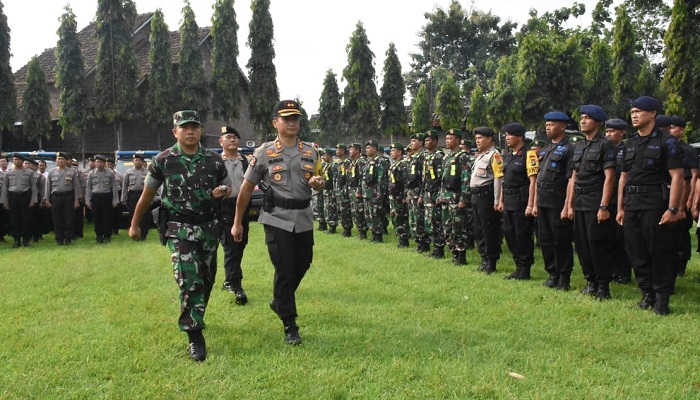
(194, 267)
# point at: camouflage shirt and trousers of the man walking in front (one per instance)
(193, 228)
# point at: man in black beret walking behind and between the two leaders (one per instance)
(236, 166)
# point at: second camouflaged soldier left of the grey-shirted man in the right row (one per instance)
(432, 173)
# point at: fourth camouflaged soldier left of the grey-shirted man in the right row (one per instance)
(398, 172)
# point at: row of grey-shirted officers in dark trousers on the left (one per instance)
(64, 196)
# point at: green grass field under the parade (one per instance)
(99, 321)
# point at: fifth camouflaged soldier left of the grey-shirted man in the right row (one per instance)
(374, 188)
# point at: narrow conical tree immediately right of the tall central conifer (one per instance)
(393, 116)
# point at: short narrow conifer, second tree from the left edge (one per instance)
(36, 106)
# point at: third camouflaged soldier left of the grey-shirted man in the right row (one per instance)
(414, 190)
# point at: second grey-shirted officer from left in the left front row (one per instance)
(62, 197)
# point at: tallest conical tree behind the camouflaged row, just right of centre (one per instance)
(361, 111)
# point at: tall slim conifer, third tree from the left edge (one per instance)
(75, 114)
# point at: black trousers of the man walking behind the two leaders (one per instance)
(233, 251)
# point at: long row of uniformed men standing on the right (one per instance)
(627, 205)
